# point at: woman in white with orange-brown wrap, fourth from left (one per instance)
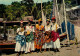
(47, 43)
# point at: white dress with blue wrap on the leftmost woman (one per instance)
(20, 41)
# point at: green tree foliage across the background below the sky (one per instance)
(28, 8)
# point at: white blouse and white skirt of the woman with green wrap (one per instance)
(29, 45)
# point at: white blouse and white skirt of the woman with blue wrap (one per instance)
(18, 46)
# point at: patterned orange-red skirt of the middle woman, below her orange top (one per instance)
(39, 38)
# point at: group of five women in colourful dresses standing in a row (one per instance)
(38, 37)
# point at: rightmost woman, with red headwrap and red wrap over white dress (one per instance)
(55, 35)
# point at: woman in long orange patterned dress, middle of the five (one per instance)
(39, 35)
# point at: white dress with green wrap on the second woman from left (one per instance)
(29, 39)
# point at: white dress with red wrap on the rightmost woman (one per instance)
(55, 36)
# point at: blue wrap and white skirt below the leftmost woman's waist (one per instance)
(20, 43)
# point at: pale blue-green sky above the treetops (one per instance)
(8, 2)
